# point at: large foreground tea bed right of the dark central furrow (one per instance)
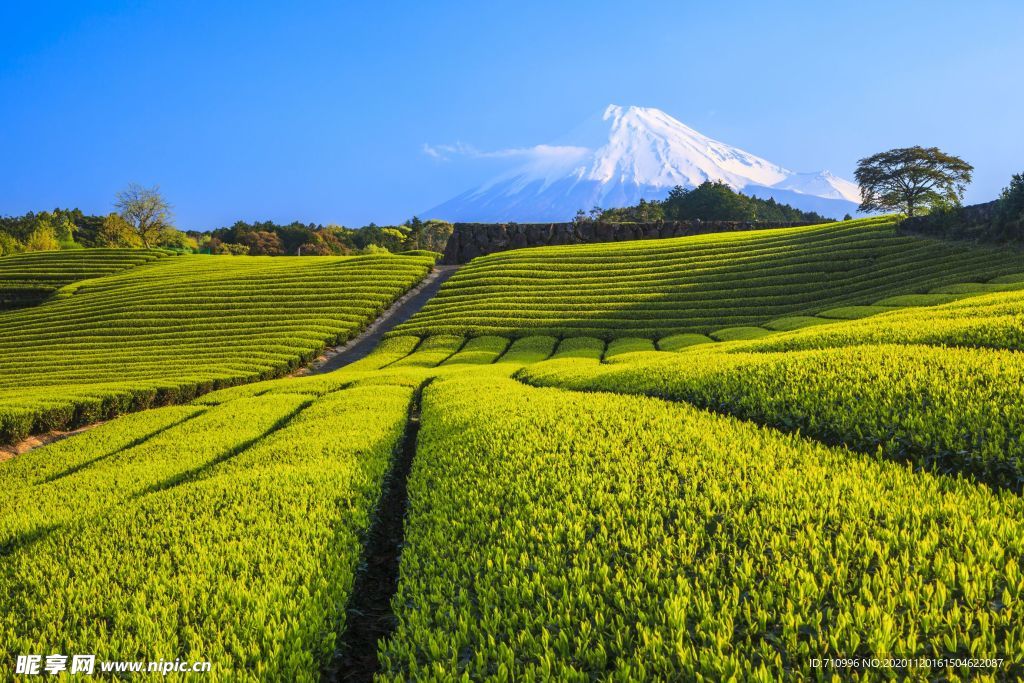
(572, 537)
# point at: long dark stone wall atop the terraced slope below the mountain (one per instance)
(473, 240)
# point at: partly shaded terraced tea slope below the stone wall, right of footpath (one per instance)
(698, 285)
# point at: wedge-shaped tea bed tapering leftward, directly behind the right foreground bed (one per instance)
(947, 410)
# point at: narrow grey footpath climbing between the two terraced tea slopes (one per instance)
(401, 311)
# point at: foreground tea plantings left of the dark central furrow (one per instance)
(232, 536)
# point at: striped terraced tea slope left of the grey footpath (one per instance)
(177, 327)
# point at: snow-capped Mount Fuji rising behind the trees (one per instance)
(632, 153)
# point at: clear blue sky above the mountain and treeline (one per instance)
(320, 112)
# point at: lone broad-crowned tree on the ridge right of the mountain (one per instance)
(908, 180)
